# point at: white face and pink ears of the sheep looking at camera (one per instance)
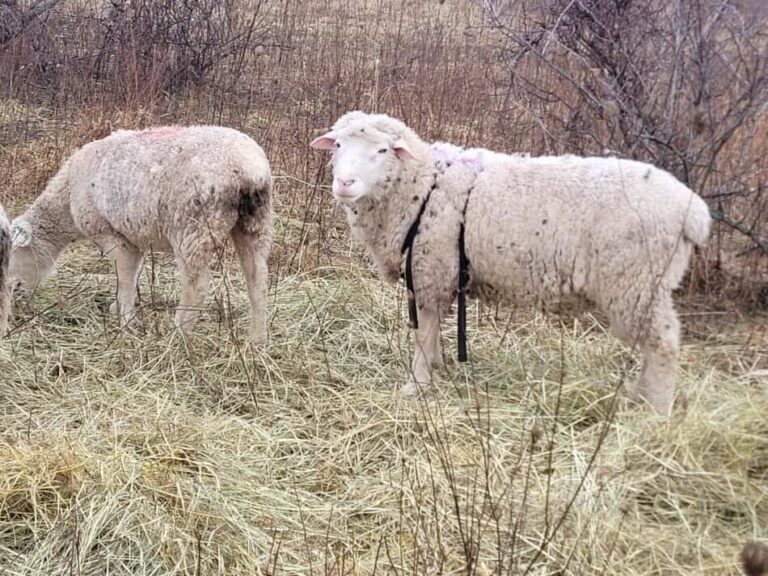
(364, 160)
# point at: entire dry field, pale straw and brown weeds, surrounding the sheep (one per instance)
(142, 452)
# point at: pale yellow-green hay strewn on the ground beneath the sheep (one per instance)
(143, 453)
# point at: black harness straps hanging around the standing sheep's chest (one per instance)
(413, 317)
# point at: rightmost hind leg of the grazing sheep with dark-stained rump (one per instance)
(253, 253)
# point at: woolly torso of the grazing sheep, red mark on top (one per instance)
(151, 185)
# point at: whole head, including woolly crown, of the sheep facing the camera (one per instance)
(368, 151)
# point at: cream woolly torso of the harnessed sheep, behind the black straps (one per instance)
(551, 227)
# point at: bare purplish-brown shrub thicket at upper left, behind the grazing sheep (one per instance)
(135, 49)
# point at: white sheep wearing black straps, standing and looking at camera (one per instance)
(616, 233)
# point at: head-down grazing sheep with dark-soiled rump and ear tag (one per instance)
(175, 189)
